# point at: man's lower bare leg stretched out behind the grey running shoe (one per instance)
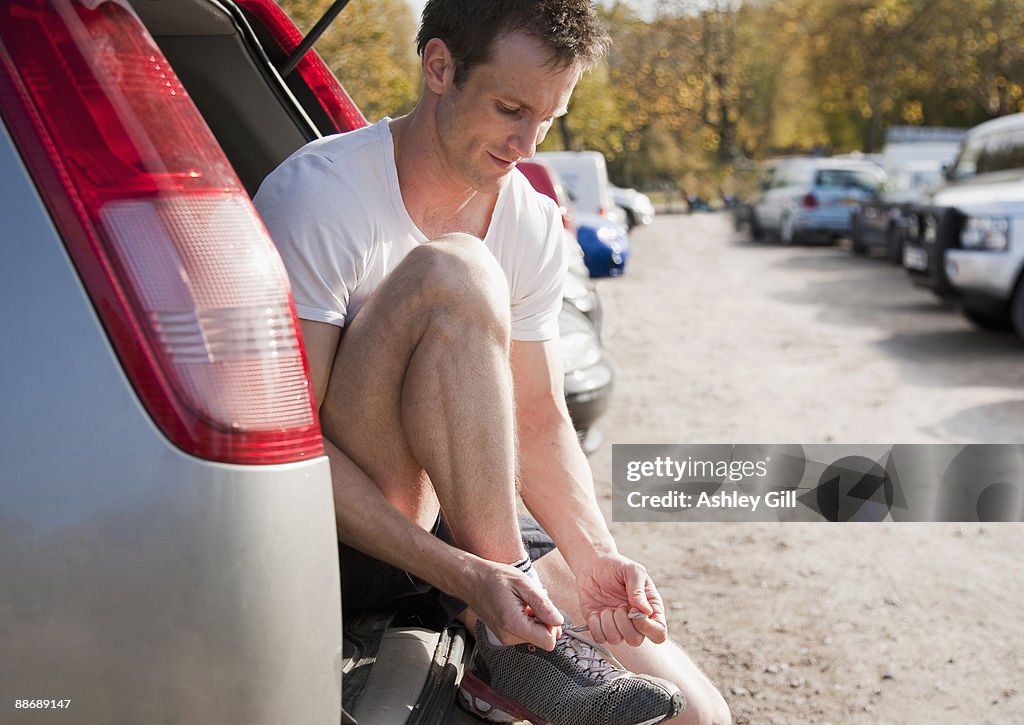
(705, 706)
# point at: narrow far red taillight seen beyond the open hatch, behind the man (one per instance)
(330, 95)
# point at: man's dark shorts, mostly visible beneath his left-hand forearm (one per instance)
(371, 585)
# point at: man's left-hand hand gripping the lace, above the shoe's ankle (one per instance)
(514, 607)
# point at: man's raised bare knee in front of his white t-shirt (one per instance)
(458, 277)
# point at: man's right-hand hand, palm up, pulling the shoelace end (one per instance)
(611, 588)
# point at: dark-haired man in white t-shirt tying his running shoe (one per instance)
(429, 277)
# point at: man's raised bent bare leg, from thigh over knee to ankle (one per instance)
(421, 382)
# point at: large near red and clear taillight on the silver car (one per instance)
(180, 268)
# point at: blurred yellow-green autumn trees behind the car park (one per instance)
(693, 90)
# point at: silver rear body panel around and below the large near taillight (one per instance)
(140, 582)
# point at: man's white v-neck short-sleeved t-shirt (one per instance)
(335, 211)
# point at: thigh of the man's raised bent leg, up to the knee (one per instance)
(362, 412)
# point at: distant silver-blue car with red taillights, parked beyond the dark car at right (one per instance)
(804, 199)
